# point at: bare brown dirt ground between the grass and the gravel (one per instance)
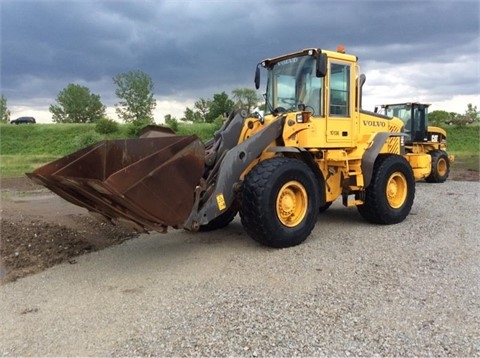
(39, 230)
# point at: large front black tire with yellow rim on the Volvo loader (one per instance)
(280, 201)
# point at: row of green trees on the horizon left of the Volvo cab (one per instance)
(135, 91)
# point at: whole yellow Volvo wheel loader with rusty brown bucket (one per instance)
(313, 145)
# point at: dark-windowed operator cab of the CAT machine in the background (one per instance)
(415, 117)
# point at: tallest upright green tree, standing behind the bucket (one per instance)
(135, 90)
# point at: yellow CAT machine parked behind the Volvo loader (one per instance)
(424, 143)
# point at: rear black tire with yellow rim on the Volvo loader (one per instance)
(389, 197)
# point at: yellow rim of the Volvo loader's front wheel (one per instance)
(292, 204)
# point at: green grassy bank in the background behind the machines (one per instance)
(24, 148)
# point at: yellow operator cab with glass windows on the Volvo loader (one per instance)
(320, 87)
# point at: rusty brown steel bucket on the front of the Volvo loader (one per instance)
(148, 182)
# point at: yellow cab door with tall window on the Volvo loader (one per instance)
(339, 100)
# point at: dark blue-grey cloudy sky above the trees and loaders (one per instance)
(409, 50)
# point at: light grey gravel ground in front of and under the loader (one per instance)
(352, 288)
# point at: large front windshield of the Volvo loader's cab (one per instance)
(292, 82)
